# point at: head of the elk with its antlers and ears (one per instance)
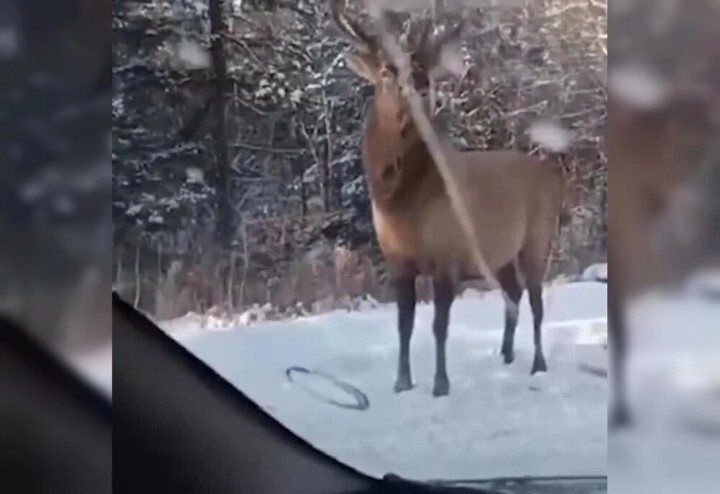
(370, 61)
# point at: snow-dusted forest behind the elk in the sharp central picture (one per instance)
(237, 176)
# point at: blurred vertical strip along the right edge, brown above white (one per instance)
(664, 218)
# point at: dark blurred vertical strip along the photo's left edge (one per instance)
(55, 226)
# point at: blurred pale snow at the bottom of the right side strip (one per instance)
(674, 384)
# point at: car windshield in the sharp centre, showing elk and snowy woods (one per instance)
(244, 224)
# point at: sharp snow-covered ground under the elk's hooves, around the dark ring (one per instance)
(498, 420)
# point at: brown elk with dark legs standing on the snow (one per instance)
(515, 200)
